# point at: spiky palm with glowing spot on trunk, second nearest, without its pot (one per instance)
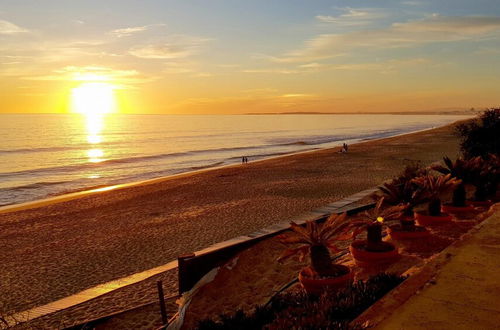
(373, 219)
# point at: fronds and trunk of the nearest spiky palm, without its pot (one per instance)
(317, 240)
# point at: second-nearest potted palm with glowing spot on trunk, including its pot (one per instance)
(373, 250)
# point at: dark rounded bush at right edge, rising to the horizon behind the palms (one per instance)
(480, 137)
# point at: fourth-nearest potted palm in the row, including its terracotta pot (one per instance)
(433, 187)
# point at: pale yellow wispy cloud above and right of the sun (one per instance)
(178, 47)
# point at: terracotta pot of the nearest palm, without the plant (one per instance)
(317, 286)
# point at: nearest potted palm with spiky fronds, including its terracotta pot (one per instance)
(317, 241)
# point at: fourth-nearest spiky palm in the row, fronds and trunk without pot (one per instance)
(434, 186)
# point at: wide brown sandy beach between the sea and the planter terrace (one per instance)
(58, 249)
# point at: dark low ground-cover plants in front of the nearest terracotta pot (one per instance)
(298, 310)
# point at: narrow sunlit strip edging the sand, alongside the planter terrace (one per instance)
(105, 288)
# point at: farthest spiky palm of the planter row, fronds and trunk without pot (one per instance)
(461, 169)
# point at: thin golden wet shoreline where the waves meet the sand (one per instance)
(71, 195)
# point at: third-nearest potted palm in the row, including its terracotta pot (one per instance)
(403, 191)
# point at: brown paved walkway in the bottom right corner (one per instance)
(462, 287)
